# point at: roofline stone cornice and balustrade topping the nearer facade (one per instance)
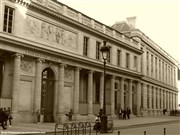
(114, 36)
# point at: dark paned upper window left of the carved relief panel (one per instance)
(8, 19)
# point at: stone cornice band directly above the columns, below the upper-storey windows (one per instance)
(78, 60)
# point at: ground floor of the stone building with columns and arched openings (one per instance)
(30, 82)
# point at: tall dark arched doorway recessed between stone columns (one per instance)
(47, 94)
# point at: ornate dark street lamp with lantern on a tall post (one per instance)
(105, 53)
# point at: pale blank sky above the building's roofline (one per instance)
(157, 19)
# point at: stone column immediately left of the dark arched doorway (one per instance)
(38, 81)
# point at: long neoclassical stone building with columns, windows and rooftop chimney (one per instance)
(50, 60)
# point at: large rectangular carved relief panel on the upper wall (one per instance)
(49, 33)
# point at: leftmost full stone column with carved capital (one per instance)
(16, 83)
